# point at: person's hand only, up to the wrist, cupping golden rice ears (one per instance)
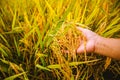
(91, 40)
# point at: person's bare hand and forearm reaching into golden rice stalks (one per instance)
(104, 46)
